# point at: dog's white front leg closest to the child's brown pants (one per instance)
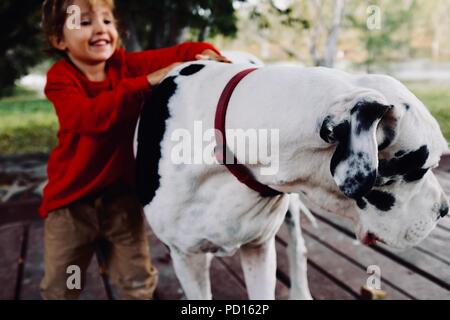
(192, 271)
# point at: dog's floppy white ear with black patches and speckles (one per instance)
(355, 161)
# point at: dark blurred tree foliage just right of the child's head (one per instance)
(160, 23)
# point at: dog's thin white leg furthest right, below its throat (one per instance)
(296, 251)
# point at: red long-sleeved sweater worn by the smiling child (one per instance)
(97, 122)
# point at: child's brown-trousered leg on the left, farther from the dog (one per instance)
(69, 240)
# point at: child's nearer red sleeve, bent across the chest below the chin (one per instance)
(81, 114)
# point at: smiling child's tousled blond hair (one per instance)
(54, 15)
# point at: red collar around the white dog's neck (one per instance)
(241, 172)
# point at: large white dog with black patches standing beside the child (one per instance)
(358, 146)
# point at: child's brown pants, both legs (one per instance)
(70, 240)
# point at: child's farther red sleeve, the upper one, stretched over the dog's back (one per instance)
(145, 62)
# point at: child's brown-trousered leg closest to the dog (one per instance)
(129, 258)
